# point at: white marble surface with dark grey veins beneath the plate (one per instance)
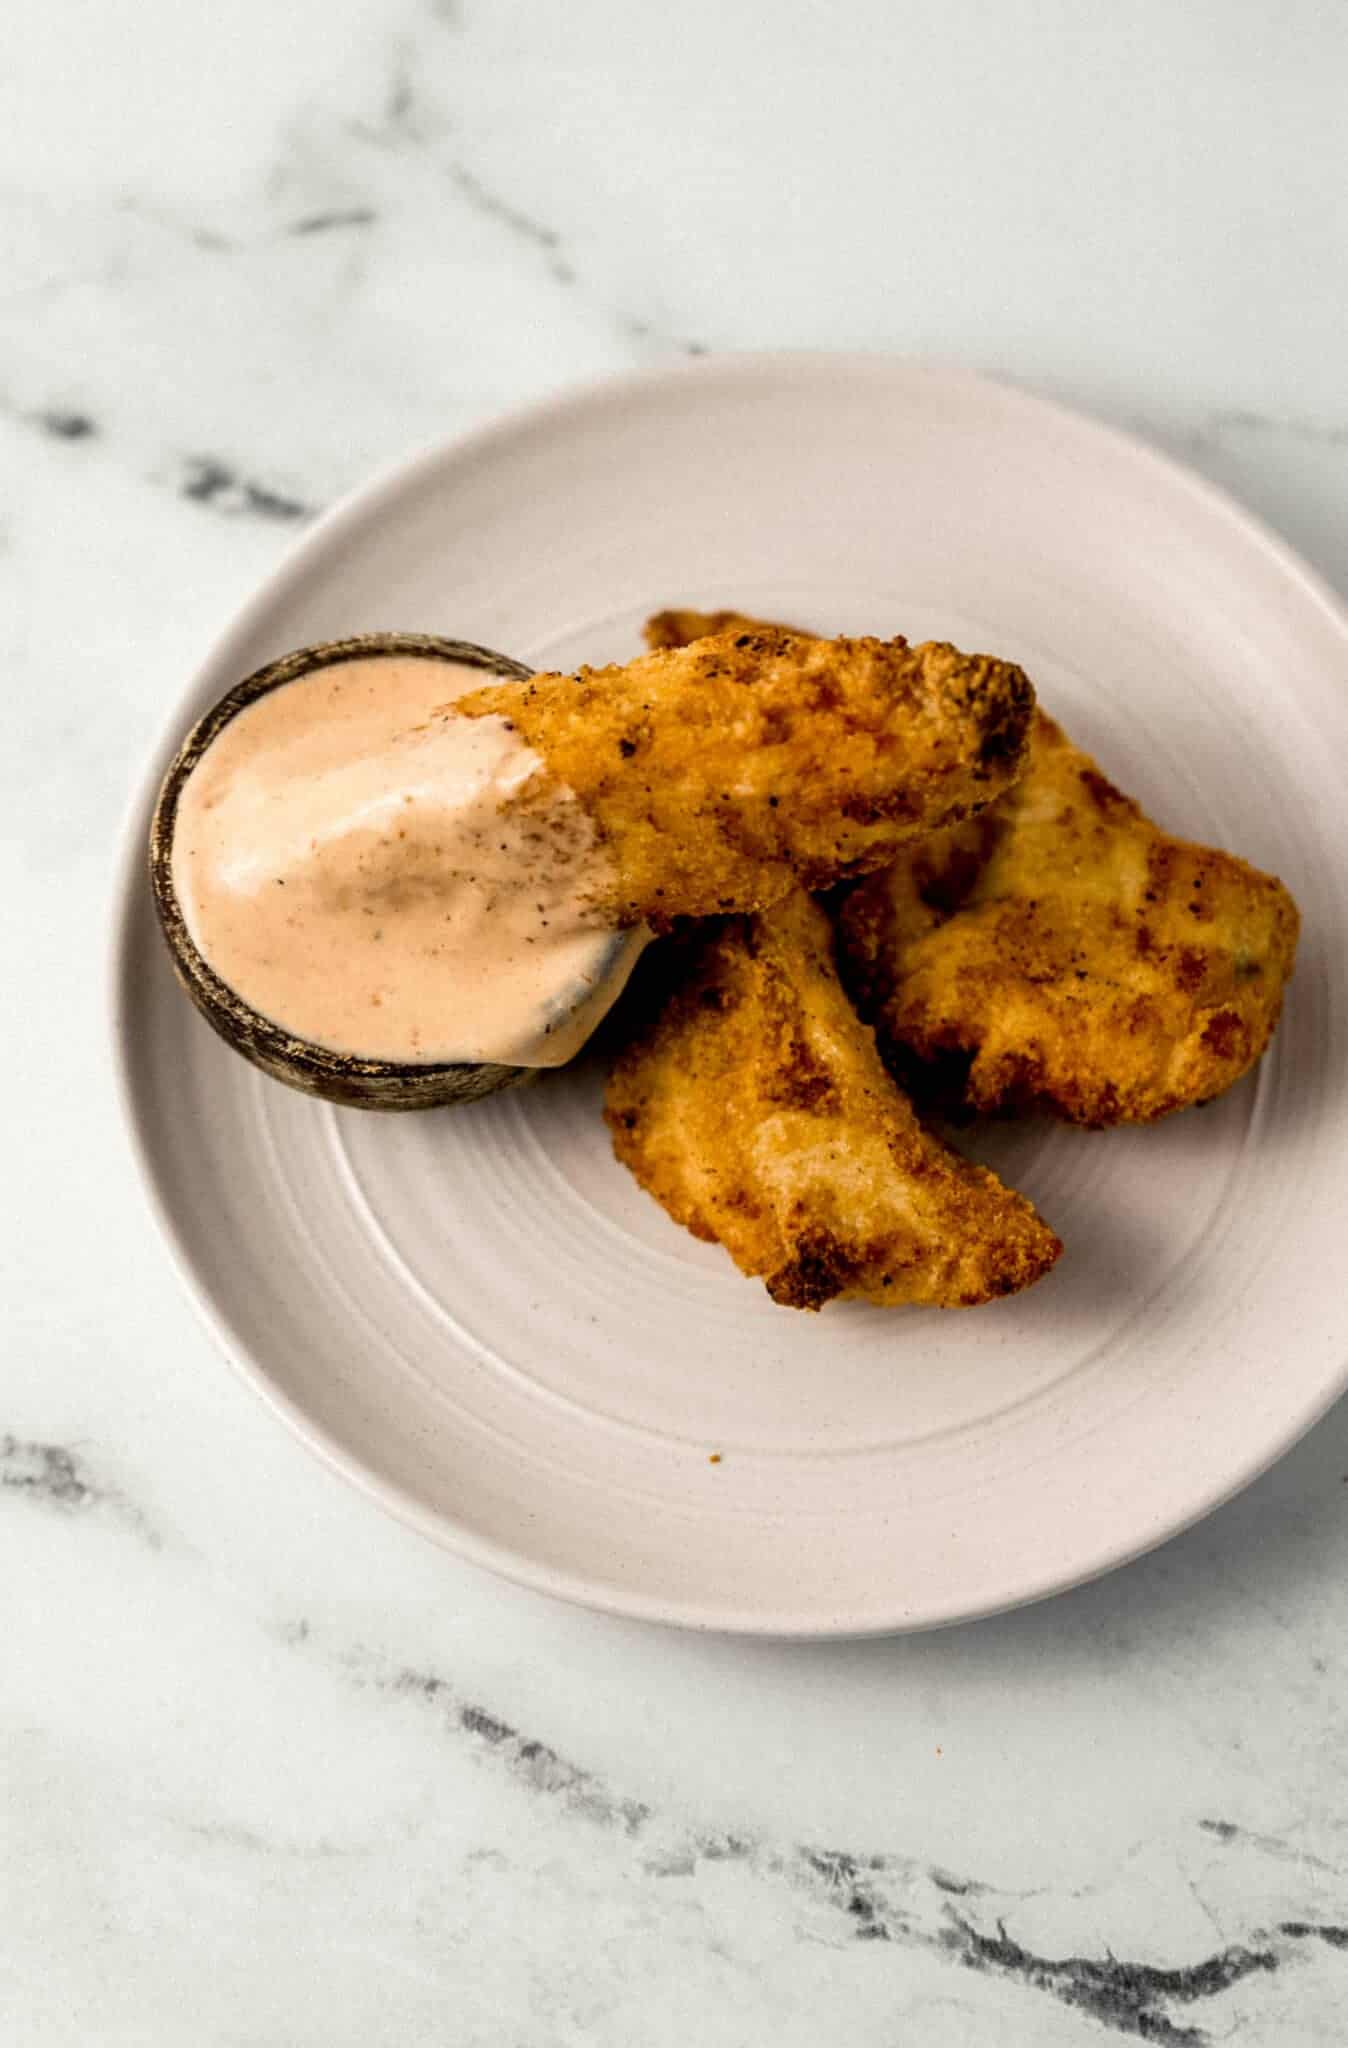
(276, 1770)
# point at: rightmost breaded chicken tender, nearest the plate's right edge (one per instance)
(1066, 953)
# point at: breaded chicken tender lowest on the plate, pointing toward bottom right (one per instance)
(759, 1115)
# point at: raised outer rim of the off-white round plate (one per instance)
(130, 876)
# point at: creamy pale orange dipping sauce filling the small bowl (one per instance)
(380, 878)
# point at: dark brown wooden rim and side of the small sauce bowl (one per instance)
(364, 1084)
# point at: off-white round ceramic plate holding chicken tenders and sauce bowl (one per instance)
(482, 1320)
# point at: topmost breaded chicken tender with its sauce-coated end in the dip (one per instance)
(722, 773)
